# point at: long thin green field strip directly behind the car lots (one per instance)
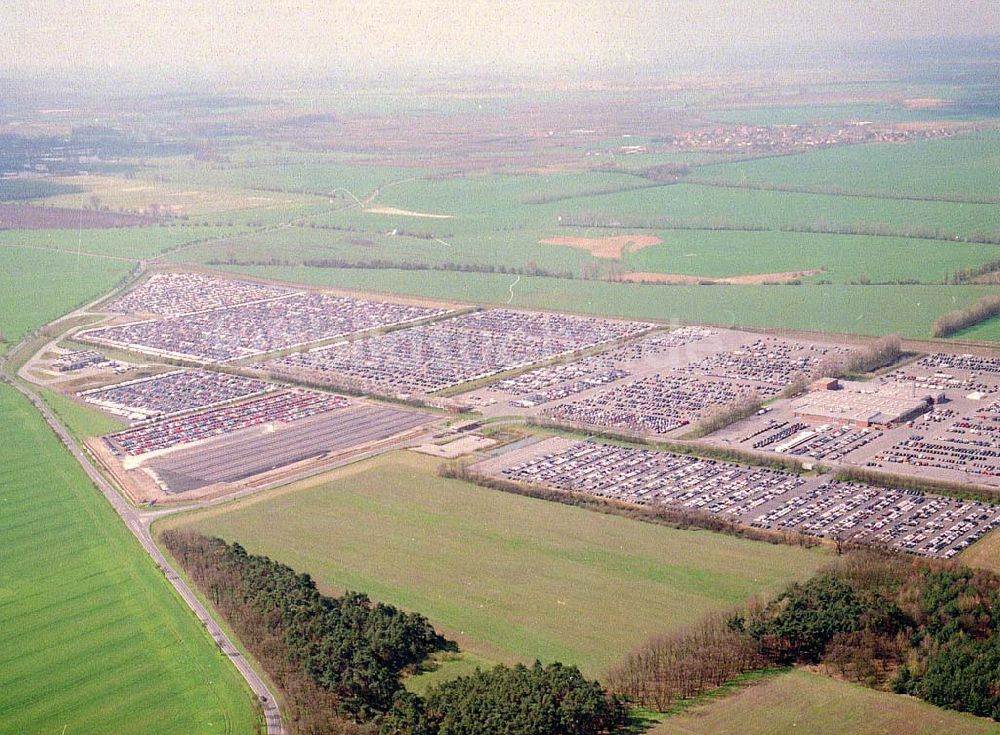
(875, 310)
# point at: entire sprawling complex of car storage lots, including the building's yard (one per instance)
(199, 432)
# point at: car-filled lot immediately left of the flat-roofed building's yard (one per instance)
(662, 384)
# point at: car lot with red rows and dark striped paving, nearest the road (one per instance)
(257, 439)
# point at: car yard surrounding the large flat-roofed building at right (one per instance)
(937, 417)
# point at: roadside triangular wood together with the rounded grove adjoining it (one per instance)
(338, 661)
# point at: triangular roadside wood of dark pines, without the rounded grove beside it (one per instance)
(339, 660)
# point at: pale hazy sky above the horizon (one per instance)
(323, 36)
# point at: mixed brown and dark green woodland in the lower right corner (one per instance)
(922, 627)
